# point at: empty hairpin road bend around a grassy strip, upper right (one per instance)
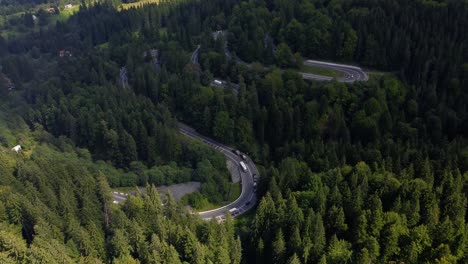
(350, 73)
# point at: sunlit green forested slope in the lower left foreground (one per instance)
(55, 207)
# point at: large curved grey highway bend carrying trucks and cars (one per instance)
(248, 198)
